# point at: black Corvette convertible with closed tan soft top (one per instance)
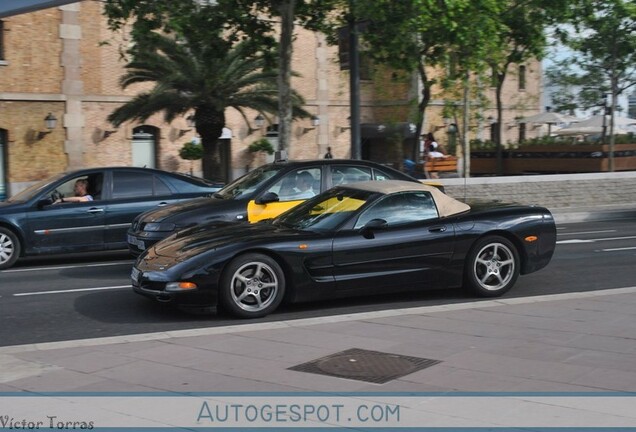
(362, 238)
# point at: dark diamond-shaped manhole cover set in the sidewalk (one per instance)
(365, 365)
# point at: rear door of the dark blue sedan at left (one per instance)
(131, 193)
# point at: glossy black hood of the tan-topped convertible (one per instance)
(210, 237)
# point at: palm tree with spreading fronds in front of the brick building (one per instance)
(204, 76)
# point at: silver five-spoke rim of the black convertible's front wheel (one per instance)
(254, 286)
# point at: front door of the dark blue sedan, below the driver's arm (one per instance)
(66, 226)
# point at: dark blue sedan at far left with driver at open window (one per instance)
(32, 224)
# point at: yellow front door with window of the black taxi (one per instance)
(290, 192)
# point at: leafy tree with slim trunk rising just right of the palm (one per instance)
(238, 20)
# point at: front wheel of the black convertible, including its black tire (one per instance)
(252, 286)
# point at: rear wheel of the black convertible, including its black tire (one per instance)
(492, 266)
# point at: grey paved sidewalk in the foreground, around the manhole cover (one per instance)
(576, 342)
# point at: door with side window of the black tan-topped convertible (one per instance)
(411, 250)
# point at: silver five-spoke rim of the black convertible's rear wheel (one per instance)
(494, 266)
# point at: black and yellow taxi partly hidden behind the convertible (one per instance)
(263, 193)
